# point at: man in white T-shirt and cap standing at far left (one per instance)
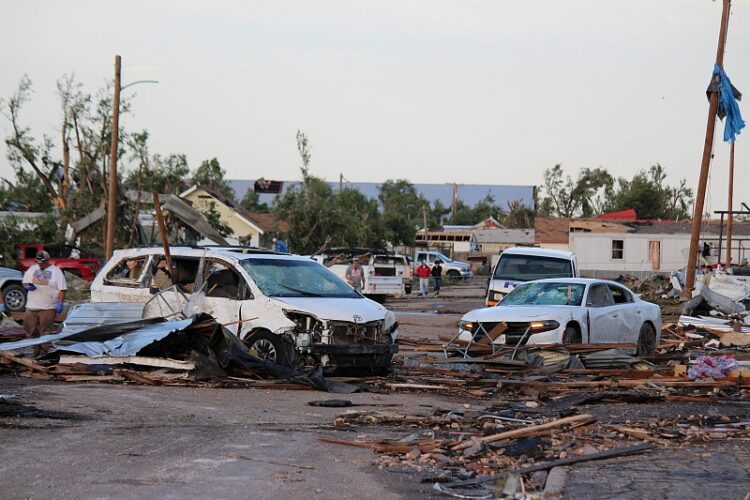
(46, 286)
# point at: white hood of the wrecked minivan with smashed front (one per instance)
(336, 309)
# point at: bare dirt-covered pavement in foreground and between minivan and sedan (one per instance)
(130, 441)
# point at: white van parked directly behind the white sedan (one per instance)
(520, 264)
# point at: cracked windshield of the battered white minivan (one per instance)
(296, 278)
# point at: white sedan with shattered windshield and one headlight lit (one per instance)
(567, 311)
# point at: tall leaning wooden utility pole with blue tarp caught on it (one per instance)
(700, 197)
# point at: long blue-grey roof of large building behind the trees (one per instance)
(470, 194)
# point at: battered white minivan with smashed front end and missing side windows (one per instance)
(287, 309)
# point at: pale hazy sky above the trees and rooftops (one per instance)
(474, 92)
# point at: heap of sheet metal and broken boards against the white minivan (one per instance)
(193, 351)
